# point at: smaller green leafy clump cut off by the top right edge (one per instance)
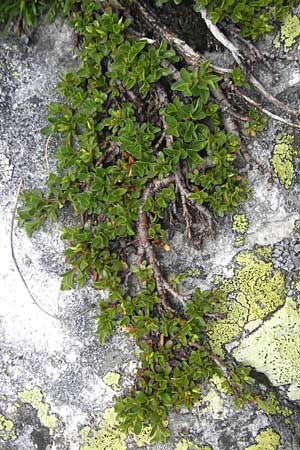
(253, 17)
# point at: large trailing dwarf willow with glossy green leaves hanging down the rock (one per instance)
(121, 144)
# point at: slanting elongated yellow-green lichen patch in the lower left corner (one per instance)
(35, 398)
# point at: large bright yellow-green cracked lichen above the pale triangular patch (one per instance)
(255, 291)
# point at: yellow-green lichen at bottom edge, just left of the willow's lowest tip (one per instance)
(108, 437)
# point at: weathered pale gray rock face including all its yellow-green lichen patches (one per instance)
(56, 381)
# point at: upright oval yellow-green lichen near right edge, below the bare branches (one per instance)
(283, 158)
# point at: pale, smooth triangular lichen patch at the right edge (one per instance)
(274, 348)
